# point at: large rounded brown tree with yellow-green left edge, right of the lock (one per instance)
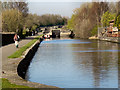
(87, 18)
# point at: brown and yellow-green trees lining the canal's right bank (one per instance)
(86, 19)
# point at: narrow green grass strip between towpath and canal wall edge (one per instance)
(20, 51)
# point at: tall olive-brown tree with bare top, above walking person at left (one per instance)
(21, 11)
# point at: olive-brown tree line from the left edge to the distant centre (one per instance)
(15, 18)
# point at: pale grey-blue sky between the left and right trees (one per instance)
(61, 8)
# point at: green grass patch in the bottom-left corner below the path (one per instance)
(7, 84)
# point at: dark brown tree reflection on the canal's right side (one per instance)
(100, 62)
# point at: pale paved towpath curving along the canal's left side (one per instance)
(9, 66)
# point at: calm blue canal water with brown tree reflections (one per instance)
(74, 63)
